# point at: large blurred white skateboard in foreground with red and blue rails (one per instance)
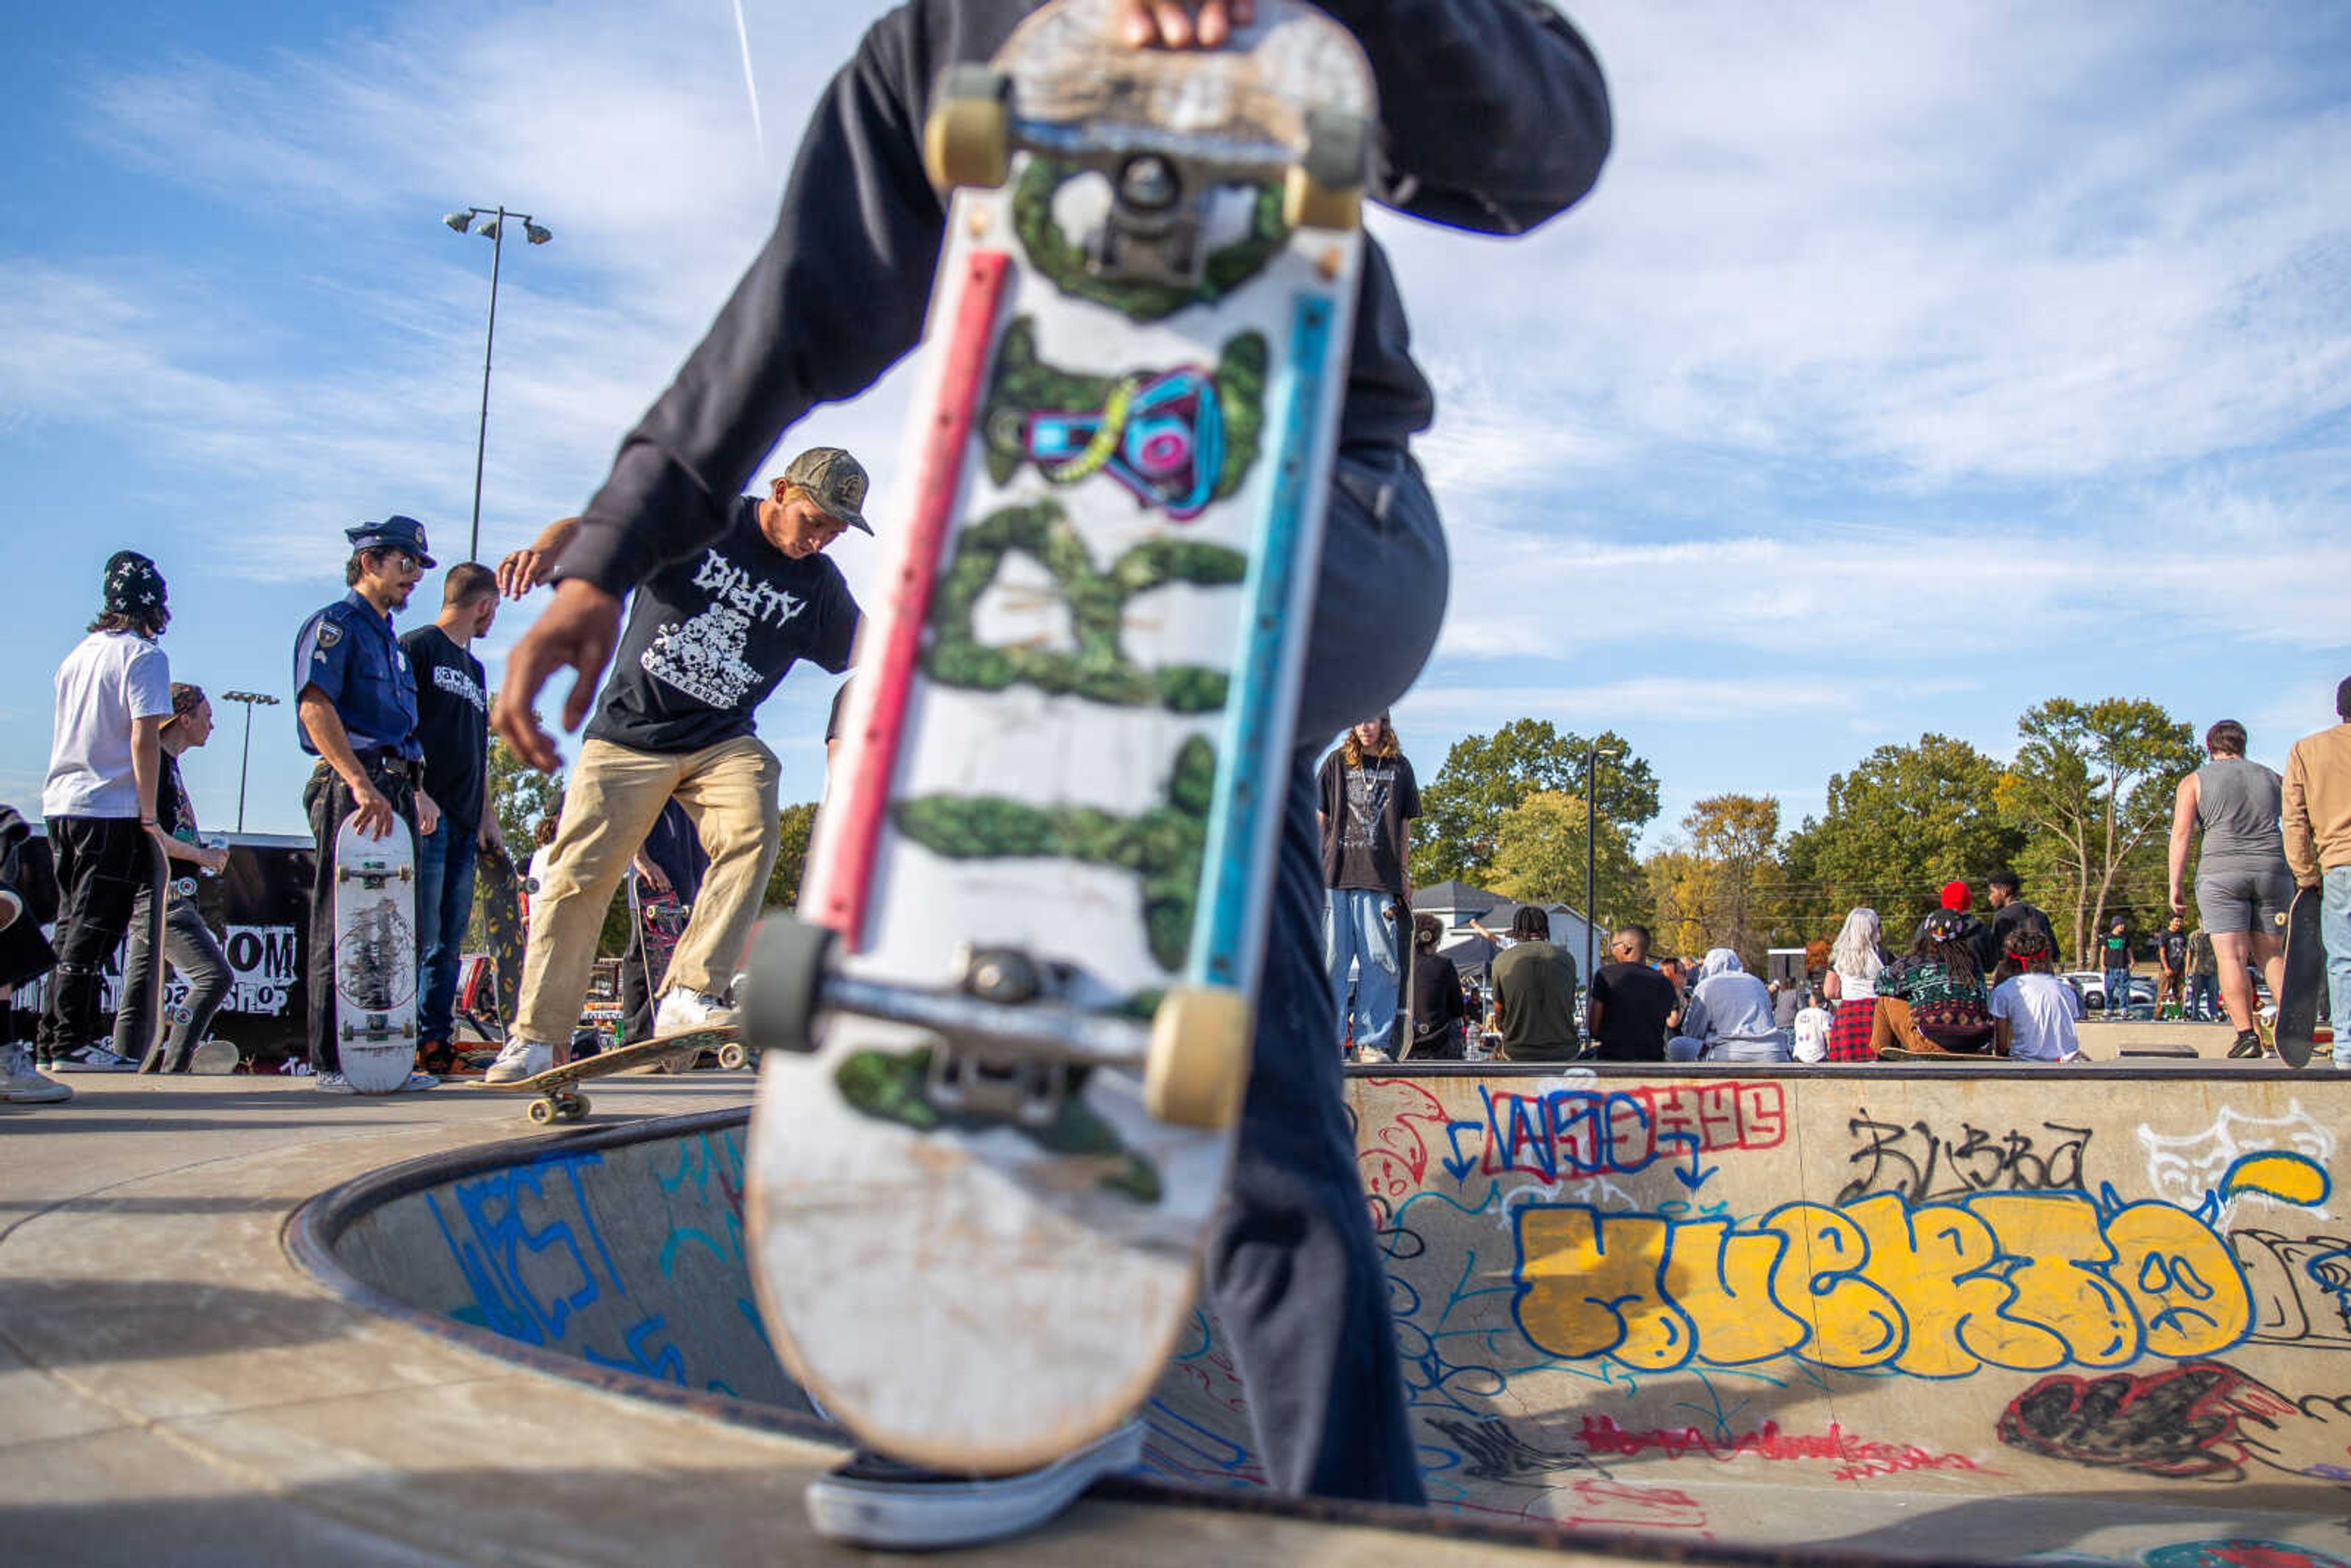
(1007, 1038)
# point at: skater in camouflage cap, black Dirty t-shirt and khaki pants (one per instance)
(735, 603)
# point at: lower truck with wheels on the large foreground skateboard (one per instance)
(1007, 1036)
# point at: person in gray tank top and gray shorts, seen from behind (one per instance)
(2242, 876)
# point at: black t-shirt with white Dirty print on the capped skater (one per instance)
(714, 634)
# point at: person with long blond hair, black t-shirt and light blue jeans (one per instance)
(1369, 798)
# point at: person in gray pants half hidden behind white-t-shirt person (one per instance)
(189, 944)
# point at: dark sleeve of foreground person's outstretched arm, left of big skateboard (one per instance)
(836, 297)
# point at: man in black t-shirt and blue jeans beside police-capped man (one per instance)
(453, 725)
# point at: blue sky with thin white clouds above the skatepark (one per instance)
(1908, 368)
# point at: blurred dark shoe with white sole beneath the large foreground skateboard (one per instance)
(880, 1503)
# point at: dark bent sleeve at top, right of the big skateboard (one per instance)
(1494, 114)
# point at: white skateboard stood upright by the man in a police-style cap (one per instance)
(375, 958)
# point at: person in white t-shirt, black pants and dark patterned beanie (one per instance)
(114, 697)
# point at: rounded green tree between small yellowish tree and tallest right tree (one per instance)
(1896, 829)
